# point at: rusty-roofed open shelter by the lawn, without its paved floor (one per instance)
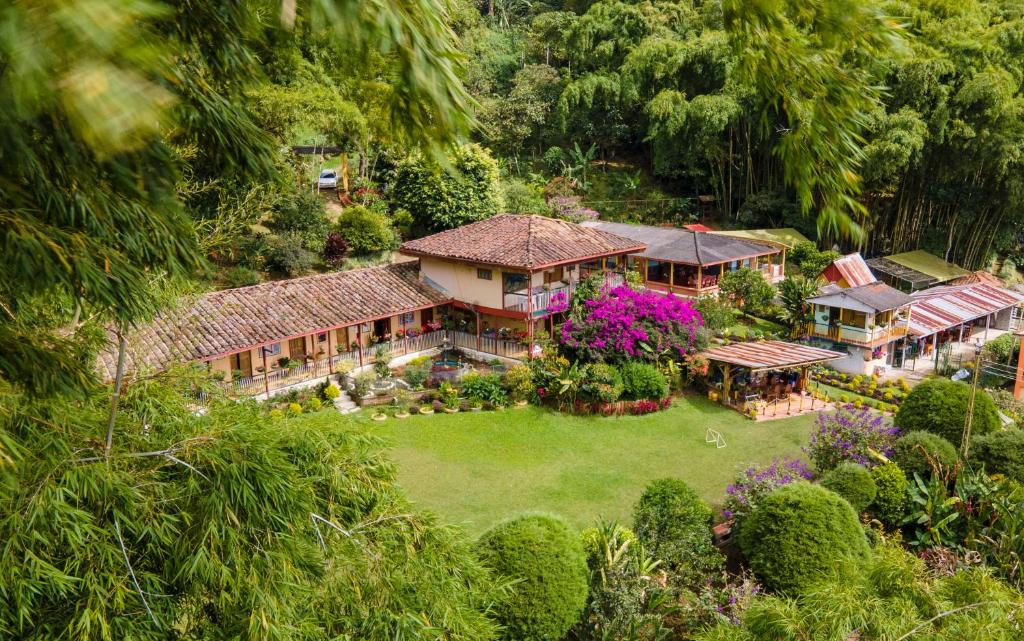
(765, 358)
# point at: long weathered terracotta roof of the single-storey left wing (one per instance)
(223, 323)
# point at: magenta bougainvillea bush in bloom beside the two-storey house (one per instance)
(623, 324)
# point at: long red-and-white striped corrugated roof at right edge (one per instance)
(943, 308)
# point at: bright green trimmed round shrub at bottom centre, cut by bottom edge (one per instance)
(547, 561)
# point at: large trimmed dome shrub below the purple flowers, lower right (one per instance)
(799, 535)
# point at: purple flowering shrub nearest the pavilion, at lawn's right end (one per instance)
(850, 435)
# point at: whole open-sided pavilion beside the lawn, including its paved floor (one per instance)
(769, 378)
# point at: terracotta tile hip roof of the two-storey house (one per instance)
(521, 243)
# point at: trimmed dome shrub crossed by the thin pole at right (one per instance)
(940, 406)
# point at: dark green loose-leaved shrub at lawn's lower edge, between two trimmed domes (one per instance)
(674, 525)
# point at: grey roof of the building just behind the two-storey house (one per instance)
(685, 246)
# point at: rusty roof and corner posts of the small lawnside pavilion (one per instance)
(765, 357)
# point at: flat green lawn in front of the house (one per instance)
(479, 468)
